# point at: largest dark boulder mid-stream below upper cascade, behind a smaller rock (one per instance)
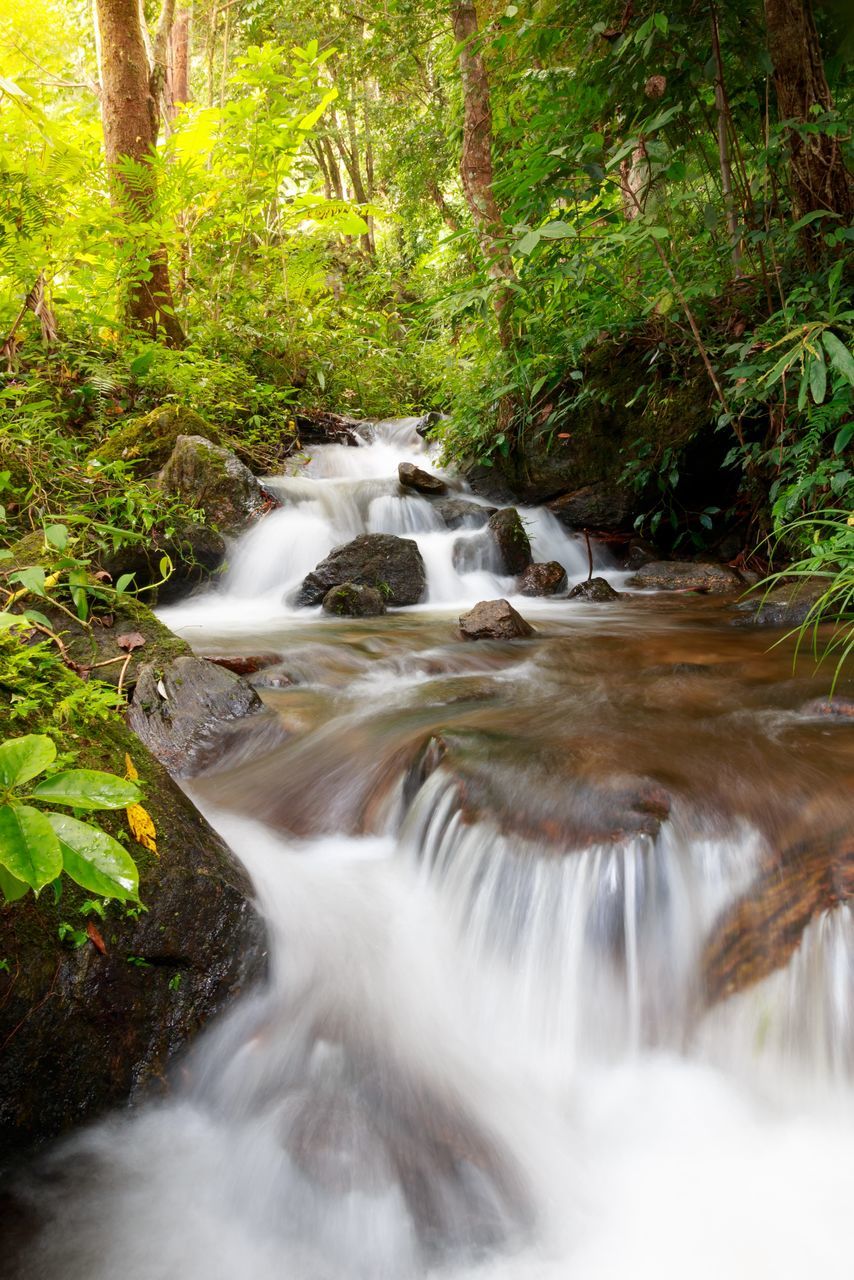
(391, 565)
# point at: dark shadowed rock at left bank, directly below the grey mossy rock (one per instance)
(197, 552)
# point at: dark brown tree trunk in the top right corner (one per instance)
(820, 180)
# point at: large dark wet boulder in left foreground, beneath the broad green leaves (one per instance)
(84, 1031)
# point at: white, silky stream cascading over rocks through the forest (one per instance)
(506, 1034)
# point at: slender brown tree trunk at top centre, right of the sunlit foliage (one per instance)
(476, 164)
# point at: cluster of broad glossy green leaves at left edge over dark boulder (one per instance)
(38, 845)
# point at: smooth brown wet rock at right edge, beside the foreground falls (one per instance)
(761, 932)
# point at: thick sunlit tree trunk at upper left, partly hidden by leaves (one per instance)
(131, 118)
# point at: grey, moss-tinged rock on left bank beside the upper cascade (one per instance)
(216, 481)
